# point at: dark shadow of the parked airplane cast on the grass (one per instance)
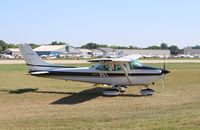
(73, 97)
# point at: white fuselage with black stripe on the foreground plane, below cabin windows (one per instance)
(86, 74)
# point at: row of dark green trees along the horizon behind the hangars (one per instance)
(163, 46)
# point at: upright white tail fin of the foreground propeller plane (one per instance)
(34, 62)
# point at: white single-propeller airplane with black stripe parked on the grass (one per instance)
(119, 72)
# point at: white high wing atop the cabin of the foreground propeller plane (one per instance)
(122, 59)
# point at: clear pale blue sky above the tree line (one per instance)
(114, 22)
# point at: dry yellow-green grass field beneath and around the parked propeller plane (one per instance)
(32, 103)
